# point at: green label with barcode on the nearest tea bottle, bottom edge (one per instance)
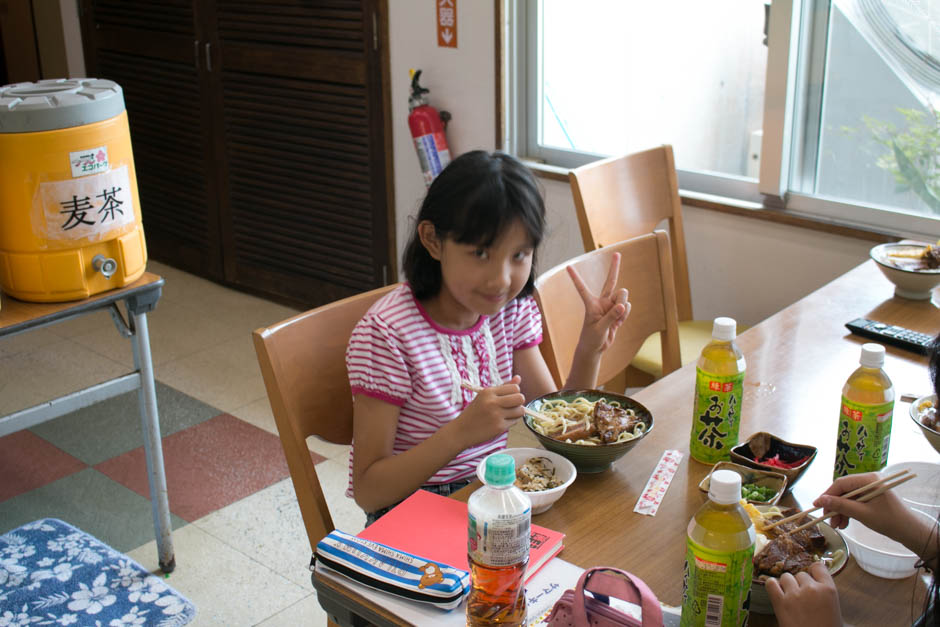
(716, 586)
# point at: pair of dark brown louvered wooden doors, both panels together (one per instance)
(293, 172)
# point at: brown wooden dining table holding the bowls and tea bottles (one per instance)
(797, 363)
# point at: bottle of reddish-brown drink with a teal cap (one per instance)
(499, 517)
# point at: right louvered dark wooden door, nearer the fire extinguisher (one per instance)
(301, 145)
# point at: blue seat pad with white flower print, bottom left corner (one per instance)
(54, 574)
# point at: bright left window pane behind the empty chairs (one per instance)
(616, 77)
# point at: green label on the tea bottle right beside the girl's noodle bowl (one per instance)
(717, 415)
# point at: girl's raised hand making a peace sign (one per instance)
(603, 313)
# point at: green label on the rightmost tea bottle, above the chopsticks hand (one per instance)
(863, 438)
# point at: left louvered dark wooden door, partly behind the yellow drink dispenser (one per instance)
(151, 49)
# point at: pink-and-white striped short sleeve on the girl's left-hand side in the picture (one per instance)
(375, 362)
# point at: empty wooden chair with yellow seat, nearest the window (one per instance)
(622, 197)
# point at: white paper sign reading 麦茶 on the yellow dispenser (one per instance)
(91, 207)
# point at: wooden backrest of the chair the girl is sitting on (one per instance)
(303, 364)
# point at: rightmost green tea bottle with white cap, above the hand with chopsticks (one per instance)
(865, 416)
